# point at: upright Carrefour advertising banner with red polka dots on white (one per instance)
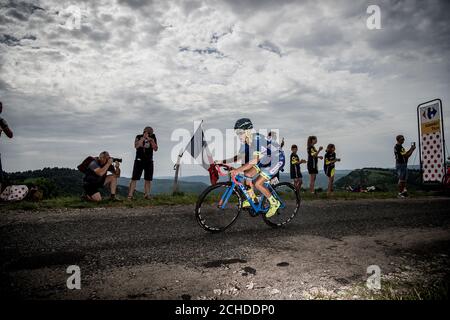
(431, 140)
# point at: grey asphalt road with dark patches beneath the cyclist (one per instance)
(162, 253)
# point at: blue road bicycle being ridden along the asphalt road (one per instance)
(219, 205)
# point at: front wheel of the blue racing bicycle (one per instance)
(210, 214)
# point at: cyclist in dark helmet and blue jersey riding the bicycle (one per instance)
(267, 160)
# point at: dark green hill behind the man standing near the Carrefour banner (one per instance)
(383, 179)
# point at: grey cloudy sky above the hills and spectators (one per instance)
(303, 67)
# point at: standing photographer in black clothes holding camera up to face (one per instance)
(145, 144)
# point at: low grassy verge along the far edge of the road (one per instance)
(183, 199)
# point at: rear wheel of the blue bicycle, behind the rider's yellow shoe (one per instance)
(290, 199)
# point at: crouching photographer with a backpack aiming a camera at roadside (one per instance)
(96, 176)
